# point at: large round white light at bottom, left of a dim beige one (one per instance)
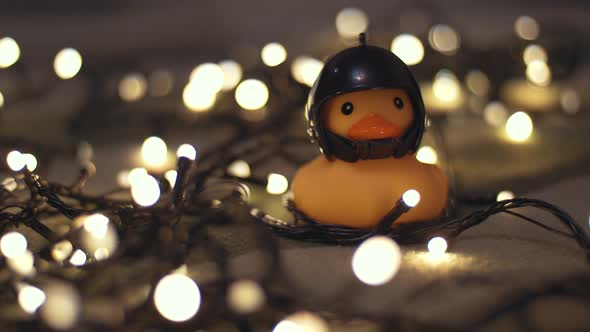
(177, 297)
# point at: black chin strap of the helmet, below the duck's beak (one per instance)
(351, 151)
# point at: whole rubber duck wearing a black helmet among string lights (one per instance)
(366, 113)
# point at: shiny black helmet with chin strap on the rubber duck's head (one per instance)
(362, 68)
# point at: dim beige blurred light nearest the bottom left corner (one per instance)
(62, 306)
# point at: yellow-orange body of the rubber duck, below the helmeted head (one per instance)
(359, 194)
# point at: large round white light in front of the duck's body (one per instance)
(377, 260)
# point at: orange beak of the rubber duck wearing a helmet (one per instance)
(372, 126)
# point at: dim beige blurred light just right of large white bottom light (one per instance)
(245, 296)
